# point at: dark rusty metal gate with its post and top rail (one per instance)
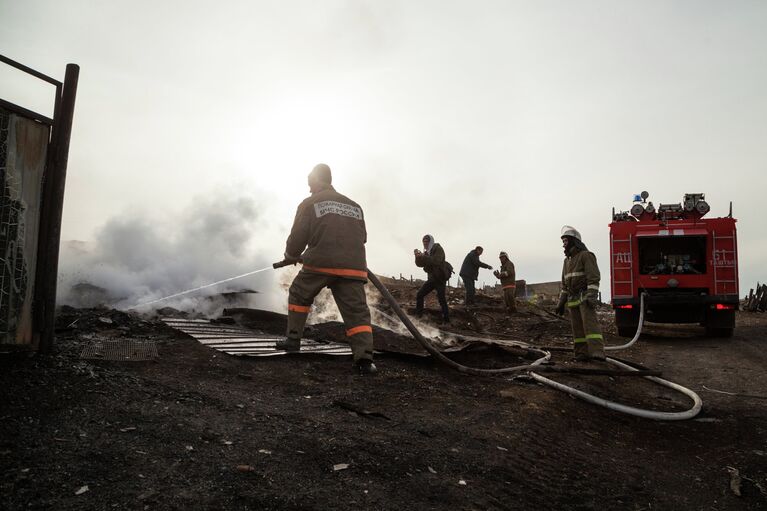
(33, 161)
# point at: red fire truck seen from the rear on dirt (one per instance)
(686, 265)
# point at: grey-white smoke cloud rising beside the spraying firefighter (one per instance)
(139, 258)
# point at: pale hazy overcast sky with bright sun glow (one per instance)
(480, 122)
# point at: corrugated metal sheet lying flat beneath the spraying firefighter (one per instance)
(239, 341)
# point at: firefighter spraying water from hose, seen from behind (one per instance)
(333, 227)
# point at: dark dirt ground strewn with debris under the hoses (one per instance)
(199, 429)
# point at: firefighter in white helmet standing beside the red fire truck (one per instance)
(580, 289)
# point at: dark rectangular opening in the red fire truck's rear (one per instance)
(672, 255)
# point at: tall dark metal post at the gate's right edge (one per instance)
(51, 212)
